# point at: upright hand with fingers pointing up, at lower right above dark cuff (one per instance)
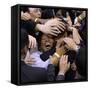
(64, 65)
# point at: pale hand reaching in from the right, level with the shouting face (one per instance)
(70, 44)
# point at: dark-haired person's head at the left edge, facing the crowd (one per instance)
(24, 43)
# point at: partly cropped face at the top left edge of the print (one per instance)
(35, 12)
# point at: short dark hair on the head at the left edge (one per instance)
(24, 38)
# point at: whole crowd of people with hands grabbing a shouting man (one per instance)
(53, 44)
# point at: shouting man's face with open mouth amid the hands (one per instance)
(47, 42)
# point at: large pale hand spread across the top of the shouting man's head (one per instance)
(53, 27)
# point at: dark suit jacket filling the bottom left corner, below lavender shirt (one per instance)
(32, 74)
